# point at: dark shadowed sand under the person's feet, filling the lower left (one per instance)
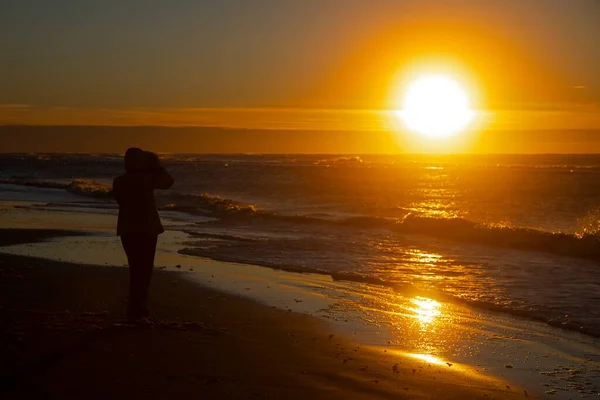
(62, 337)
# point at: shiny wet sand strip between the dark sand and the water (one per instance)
(479, 345)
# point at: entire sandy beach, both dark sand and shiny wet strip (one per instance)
(230, 334)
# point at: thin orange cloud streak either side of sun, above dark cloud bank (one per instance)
(549, 116)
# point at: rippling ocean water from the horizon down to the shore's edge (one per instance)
(516, 234)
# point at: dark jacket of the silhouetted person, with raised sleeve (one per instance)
(137, 208)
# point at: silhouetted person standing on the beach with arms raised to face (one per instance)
(139, 224)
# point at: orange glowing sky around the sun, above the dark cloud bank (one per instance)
(295, 64)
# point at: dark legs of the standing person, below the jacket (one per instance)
(134, 248)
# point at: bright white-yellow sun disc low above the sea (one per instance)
(436, 106)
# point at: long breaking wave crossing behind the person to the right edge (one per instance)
(585, 244)
